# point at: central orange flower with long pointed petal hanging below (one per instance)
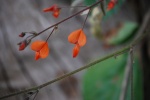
(79, 39)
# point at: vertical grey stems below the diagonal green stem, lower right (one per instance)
(128, 76)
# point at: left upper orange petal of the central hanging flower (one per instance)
(74, 36)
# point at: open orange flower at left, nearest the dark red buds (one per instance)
(41, 49)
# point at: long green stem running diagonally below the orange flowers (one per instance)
(119, 52)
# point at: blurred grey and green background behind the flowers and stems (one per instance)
(105, 34)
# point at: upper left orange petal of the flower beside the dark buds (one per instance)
(37, 45)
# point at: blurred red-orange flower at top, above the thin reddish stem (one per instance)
(54, 9)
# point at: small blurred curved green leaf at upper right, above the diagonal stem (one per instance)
(125, 33)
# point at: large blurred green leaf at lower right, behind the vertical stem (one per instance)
(103, 80)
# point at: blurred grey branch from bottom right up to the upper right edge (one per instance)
(129, 69)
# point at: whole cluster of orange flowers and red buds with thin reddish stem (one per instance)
(77, 37)
